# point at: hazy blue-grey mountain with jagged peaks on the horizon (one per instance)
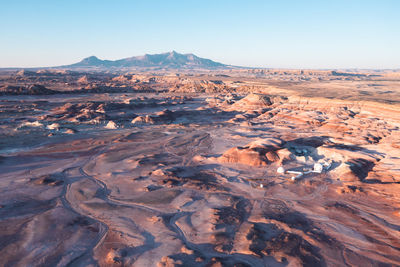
(171, 60)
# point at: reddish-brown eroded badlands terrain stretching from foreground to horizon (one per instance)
(239, 167)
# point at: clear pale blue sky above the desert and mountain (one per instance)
(279, 33)
